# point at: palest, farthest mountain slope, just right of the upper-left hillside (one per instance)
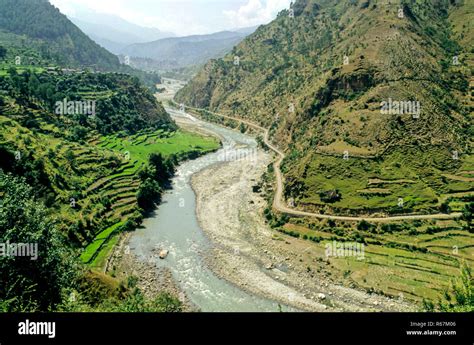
(115, 33)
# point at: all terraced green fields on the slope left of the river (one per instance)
(96, 184)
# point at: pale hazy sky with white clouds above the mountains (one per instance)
(183, 17)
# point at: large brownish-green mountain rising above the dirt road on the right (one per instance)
(383, 83)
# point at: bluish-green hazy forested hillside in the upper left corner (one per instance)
(30, 38)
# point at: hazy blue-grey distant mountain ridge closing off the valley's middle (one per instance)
(178, 52)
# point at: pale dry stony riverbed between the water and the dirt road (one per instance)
(248, 253)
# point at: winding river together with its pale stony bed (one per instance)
(228, 236)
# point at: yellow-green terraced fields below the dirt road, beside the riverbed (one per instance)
(399, 260)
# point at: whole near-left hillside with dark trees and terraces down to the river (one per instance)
(93, 176)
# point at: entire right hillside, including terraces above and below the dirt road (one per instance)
(318, 81)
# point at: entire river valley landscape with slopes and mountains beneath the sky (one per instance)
(318, 162)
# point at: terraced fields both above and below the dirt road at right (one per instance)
(413, 259)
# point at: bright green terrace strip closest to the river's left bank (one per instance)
(120, 188)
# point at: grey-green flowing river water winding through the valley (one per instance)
(175, 227)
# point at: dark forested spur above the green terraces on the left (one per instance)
(120, 102)
